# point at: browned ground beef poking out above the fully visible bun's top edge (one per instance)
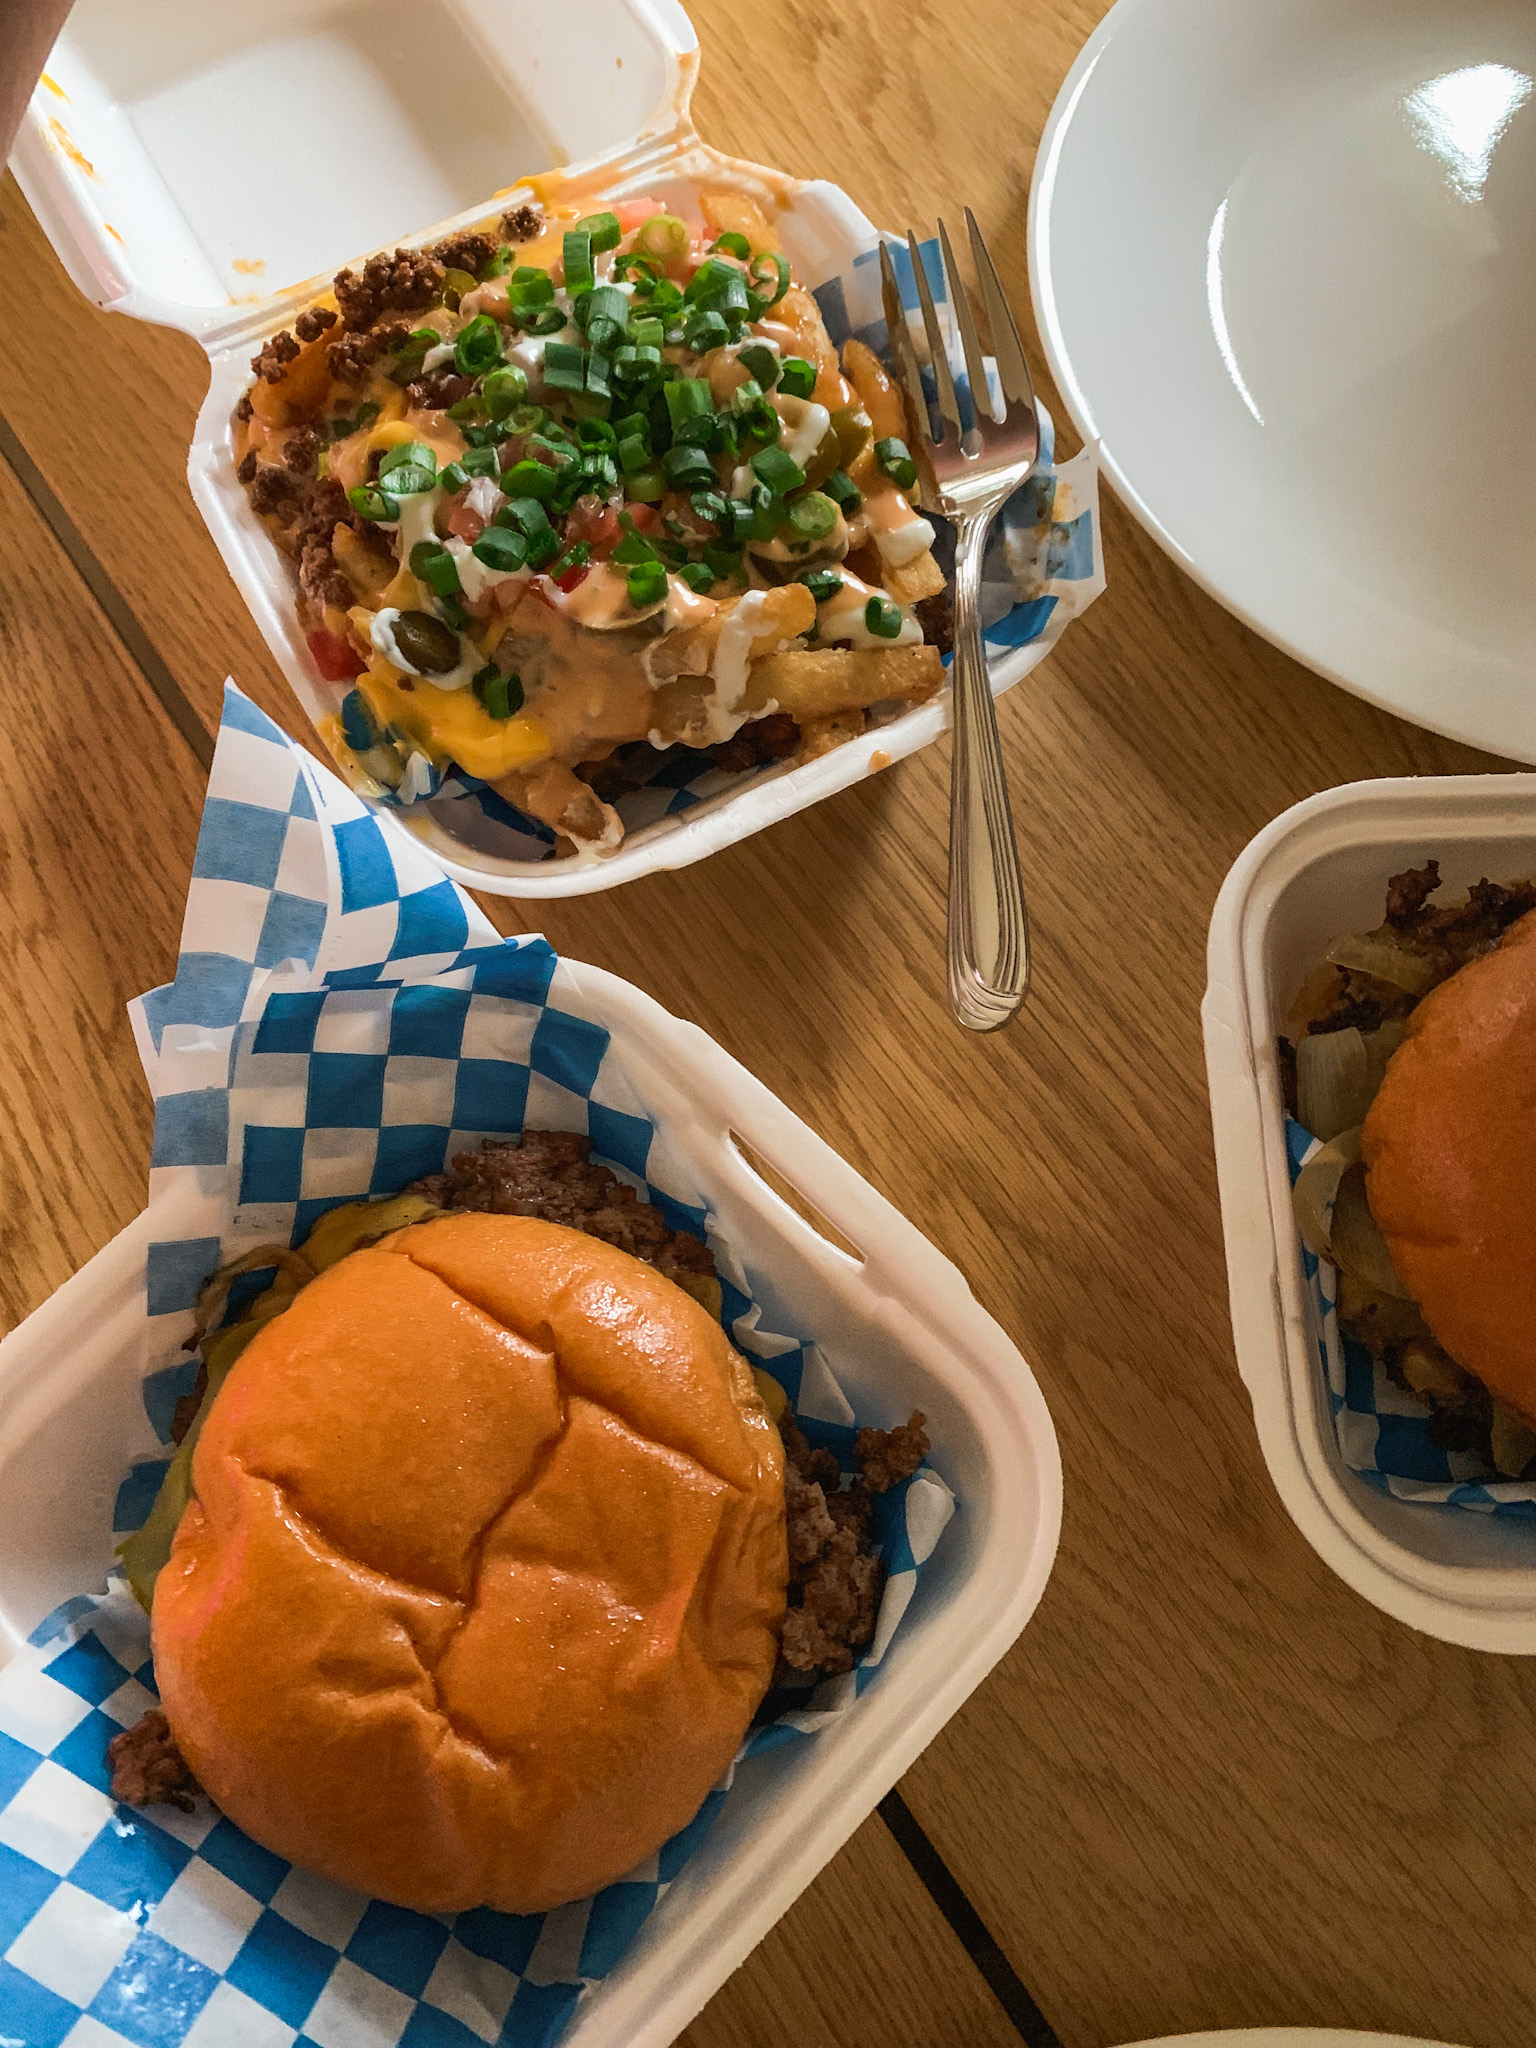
(552, 1175)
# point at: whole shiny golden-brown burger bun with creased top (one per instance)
(484, 1570)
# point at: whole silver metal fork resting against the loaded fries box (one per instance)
(968, 476)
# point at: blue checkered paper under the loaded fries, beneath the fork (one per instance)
(1046, 566)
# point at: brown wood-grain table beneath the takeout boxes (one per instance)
(1209, 1787)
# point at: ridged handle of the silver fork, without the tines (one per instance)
(988, 927)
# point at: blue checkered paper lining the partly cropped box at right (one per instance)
(1381, 1428)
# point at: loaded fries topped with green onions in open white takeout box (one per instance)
(583, 523)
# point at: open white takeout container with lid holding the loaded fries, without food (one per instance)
(169, 202)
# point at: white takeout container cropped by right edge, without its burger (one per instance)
(1316, 873)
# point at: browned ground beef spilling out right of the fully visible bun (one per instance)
(835, 1570)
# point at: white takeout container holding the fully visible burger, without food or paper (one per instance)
(900, 1328)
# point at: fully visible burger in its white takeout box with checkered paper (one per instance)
(536, 1547)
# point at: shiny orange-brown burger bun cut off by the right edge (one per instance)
(1451, 1166)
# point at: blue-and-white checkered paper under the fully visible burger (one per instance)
(343, 1019)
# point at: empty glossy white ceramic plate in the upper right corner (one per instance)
(1285, 271)
